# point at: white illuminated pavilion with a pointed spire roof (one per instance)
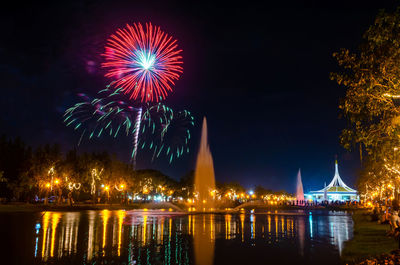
(337, 190)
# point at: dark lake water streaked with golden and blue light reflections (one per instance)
(164, 237)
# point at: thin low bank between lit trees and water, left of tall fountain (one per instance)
(23, 207)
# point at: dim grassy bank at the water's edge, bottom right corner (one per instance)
(369, 240)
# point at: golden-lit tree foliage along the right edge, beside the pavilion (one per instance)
(372, 104)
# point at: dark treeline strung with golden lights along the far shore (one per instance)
(34, 175)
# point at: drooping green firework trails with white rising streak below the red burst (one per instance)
(155, 127)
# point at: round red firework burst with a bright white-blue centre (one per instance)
(144, 62)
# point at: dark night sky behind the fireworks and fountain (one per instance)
(259, 72)
